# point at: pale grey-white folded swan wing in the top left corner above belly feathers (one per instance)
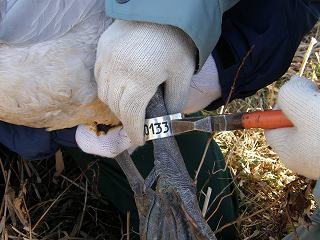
(31, 21)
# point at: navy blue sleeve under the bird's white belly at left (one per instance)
(35, 143)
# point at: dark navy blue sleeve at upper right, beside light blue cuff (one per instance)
(275, 29)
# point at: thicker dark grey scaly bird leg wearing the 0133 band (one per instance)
(176, 193)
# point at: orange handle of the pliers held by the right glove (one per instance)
(266, 119)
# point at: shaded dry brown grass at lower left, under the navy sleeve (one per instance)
(38, 205)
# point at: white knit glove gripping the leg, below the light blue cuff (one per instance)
(133, 59)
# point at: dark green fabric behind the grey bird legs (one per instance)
(114, 187)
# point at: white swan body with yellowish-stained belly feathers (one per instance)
(49, 82)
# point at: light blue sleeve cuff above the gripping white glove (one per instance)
(200, 19)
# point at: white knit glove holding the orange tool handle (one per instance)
(299, 147)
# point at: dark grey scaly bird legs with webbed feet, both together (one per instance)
(172, 211)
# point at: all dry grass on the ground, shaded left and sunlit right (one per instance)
(273, 200)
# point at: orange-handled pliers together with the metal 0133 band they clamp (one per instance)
(175, 124)
